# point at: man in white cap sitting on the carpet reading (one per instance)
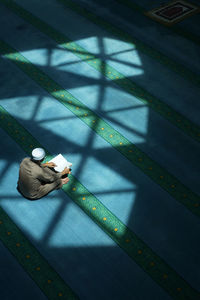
(36, 179)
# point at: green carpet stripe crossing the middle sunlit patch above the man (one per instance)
(149, 167)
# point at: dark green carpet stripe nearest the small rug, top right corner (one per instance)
(175, 28)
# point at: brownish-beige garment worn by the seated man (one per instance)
(35, 181)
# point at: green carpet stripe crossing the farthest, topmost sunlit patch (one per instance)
(158, 106)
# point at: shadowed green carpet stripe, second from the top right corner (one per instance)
(141, 46)
